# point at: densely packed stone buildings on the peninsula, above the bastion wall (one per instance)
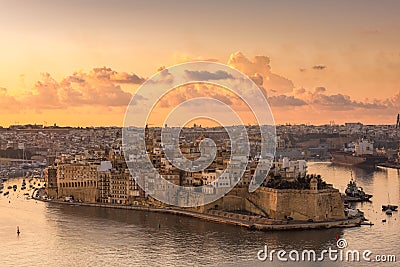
(107, 178)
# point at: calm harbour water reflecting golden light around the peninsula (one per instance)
(60, 235)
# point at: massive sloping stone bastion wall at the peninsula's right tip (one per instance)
(279, 204)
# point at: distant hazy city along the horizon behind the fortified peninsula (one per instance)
(35, 146)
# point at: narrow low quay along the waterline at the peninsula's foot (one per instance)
(346, 223)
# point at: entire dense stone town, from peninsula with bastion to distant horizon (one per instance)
(94, 165)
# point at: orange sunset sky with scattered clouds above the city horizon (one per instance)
(79, 63)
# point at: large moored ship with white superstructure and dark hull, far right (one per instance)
(361, 153)
